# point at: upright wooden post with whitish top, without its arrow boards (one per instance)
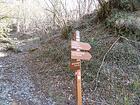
(78, 76)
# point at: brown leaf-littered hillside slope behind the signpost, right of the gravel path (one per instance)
(112, 75)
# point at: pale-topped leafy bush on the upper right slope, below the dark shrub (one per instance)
(124, 24)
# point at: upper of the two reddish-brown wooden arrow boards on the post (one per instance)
(80, 45)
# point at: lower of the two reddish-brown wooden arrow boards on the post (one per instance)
(80, 55)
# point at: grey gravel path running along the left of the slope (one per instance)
(16, 85)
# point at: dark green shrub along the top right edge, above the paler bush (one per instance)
(107, 6)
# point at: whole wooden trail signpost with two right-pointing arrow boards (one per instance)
(77, 54)
